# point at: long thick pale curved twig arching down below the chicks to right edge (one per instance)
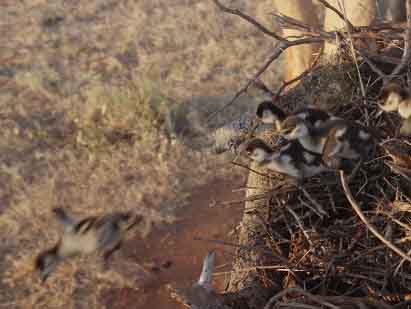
(360, 214)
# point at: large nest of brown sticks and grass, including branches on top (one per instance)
(342, 239)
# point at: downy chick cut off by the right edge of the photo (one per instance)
(397, 99)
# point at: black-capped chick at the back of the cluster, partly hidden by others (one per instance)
(268, 113)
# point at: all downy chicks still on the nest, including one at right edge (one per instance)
(317, 141)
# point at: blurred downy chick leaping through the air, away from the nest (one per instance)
(102, 234)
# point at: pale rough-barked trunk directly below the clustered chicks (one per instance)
(255, 247)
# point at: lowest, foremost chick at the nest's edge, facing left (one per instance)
(292, 159)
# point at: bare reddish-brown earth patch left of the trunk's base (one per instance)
(176, 244)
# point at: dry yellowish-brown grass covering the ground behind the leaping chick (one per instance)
(86, 88)
